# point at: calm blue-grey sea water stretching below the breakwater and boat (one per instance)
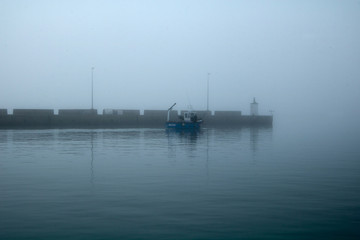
(151, 184)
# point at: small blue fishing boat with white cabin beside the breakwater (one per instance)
(189, 120)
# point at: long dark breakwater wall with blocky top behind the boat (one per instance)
(115, 118)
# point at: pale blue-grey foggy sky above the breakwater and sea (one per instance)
(295, 57)
